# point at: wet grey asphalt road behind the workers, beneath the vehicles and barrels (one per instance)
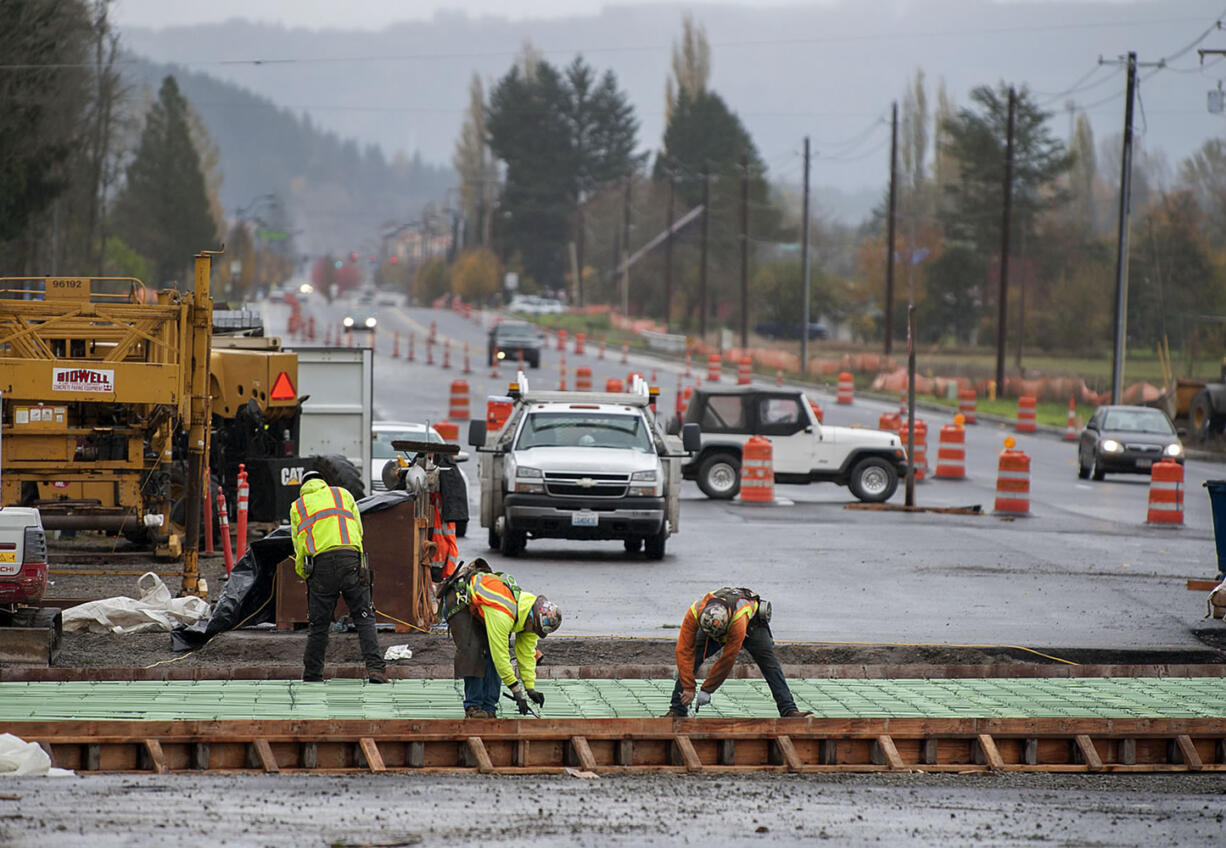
(1083, 570)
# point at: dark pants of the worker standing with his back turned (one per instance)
(339, 574)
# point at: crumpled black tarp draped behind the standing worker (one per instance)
(248, 597)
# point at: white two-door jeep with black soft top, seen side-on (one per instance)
(869, 463)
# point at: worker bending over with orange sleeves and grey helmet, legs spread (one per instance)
(728, 621)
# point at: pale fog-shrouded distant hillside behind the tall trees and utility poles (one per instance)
(828, 72)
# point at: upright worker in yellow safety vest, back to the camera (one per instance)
(328, 555)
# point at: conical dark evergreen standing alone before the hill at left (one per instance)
(164, 211)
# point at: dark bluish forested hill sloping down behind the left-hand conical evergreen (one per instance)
(340, 195)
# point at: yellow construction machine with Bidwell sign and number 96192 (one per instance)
(105, 406)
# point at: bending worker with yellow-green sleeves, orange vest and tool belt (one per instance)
(482, 611)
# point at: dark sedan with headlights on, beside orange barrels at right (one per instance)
(1126, 441)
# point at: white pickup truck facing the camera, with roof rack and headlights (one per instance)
(581, 466)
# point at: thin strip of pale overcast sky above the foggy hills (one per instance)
(375, 14)
